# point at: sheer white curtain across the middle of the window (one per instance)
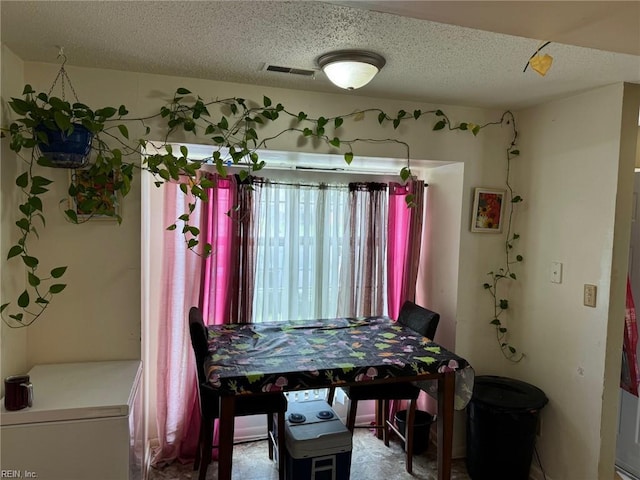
(299, 245)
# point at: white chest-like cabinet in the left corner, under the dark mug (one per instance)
(85, 423)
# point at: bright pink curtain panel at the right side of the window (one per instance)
(404, 238)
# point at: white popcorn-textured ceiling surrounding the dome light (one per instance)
(426, 60)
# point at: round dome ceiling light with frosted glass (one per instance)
(351, 69)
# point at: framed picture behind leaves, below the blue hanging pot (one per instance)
(106, 205)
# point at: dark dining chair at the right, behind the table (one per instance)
(424, 322)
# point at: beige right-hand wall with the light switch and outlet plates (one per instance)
(575, 213)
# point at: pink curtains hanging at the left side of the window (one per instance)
(210, 283)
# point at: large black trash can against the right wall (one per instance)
(502, 421)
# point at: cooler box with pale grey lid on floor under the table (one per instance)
(318, 443)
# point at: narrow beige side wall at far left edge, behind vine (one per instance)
(13, 342)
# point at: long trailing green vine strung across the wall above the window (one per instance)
(235, 138)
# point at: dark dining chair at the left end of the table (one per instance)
(269, 404)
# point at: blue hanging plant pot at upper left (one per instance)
(66, 150)
